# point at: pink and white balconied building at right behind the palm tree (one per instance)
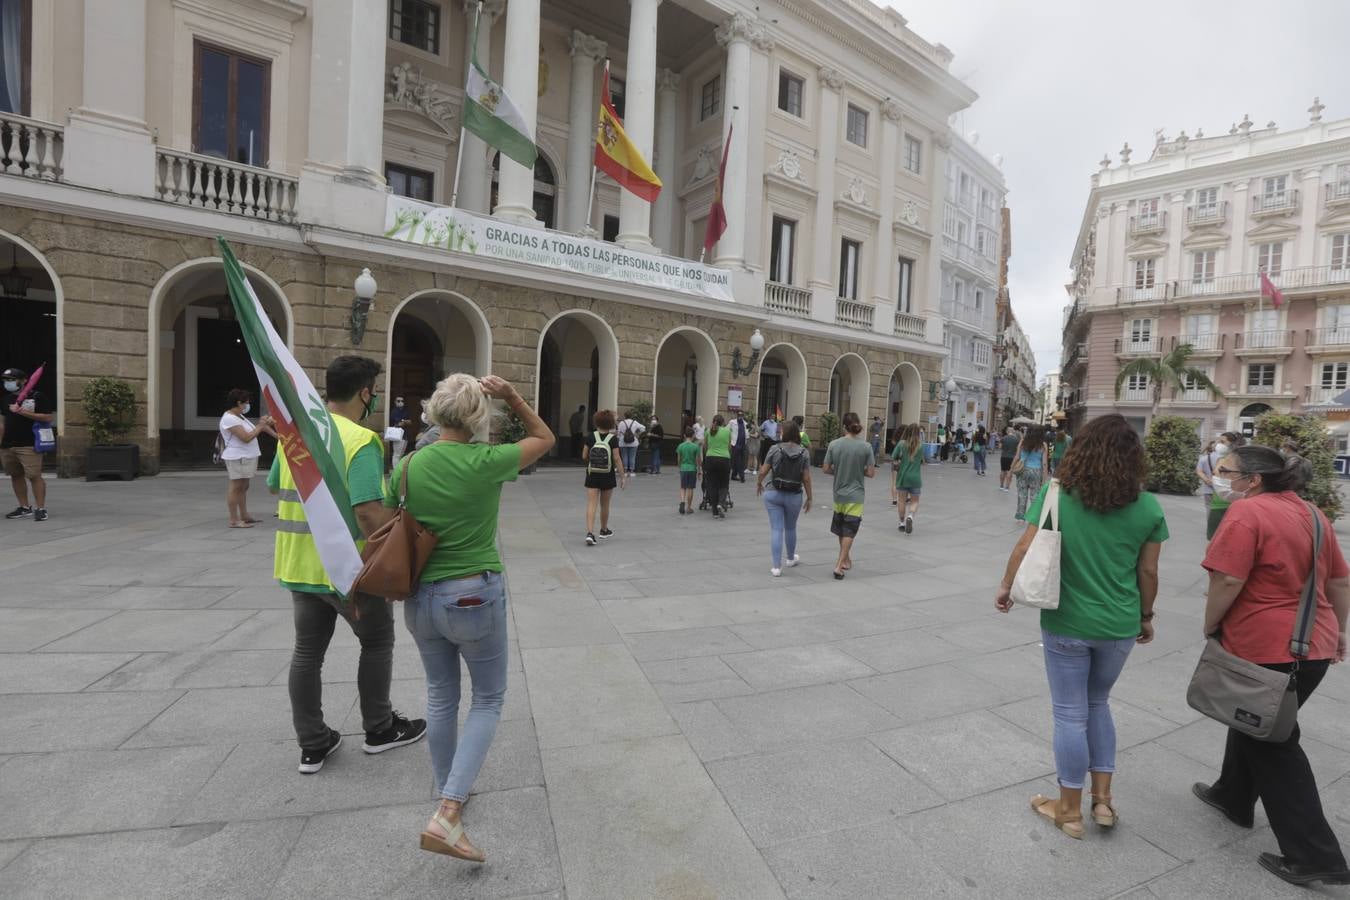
(1170, 253)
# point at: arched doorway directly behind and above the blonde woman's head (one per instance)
(434, 334)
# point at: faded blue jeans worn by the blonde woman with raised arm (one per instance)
(445, 631)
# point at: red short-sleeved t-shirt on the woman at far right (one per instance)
(1268, 542)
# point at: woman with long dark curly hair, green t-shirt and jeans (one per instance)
(1113, 536)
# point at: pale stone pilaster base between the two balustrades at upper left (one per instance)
(107, 144)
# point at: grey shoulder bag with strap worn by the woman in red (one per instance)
(1247, 697)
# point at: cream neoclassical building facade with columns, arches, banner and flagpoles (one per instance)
(295, 129)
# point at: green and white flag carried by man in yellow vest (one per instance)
(306, 431)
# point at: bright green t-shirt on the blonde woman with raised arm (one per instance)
(456, 490)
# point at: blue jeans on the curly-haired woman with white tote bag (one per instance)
(1082, 675)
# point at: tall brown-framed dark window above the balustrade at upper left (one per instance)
(230, 106)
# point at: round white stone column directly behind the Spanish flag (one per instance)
(635, 214)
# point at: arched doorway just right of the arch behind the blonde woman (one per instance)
(578, 368)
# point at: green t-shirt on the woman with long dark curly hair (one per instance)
(1100, 554)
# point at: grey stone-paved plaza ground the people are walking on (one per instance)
(678, 724)
